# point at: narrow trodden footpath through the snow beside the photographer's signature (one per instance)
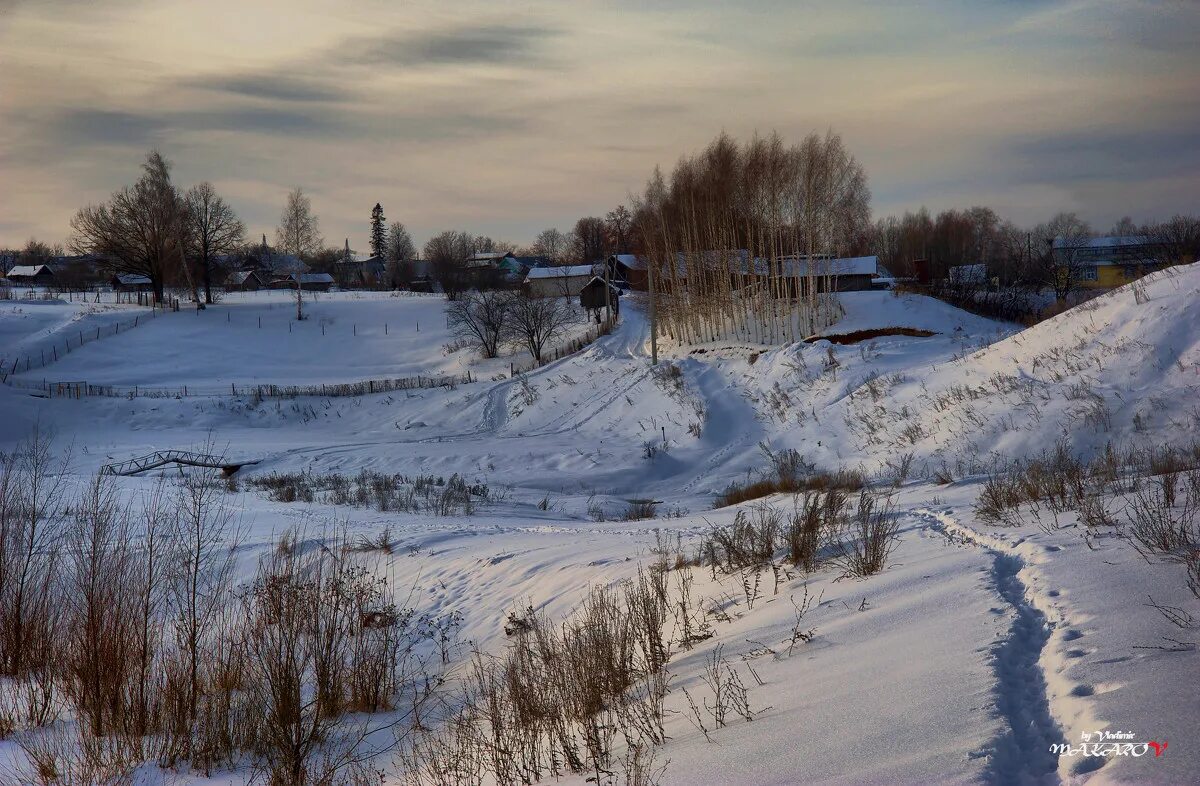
(1022, 754)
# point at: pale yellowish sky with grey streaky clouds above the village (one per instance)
(506, 118)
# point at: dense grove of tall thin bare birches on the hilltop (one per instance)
(739, 239)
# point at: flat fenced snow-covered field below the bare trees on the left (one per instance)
(255, 339)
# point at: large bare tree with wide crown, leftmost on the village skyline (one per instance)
(141, 227)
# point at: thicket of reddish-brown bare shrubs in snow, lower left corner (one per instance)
(124, 640)
